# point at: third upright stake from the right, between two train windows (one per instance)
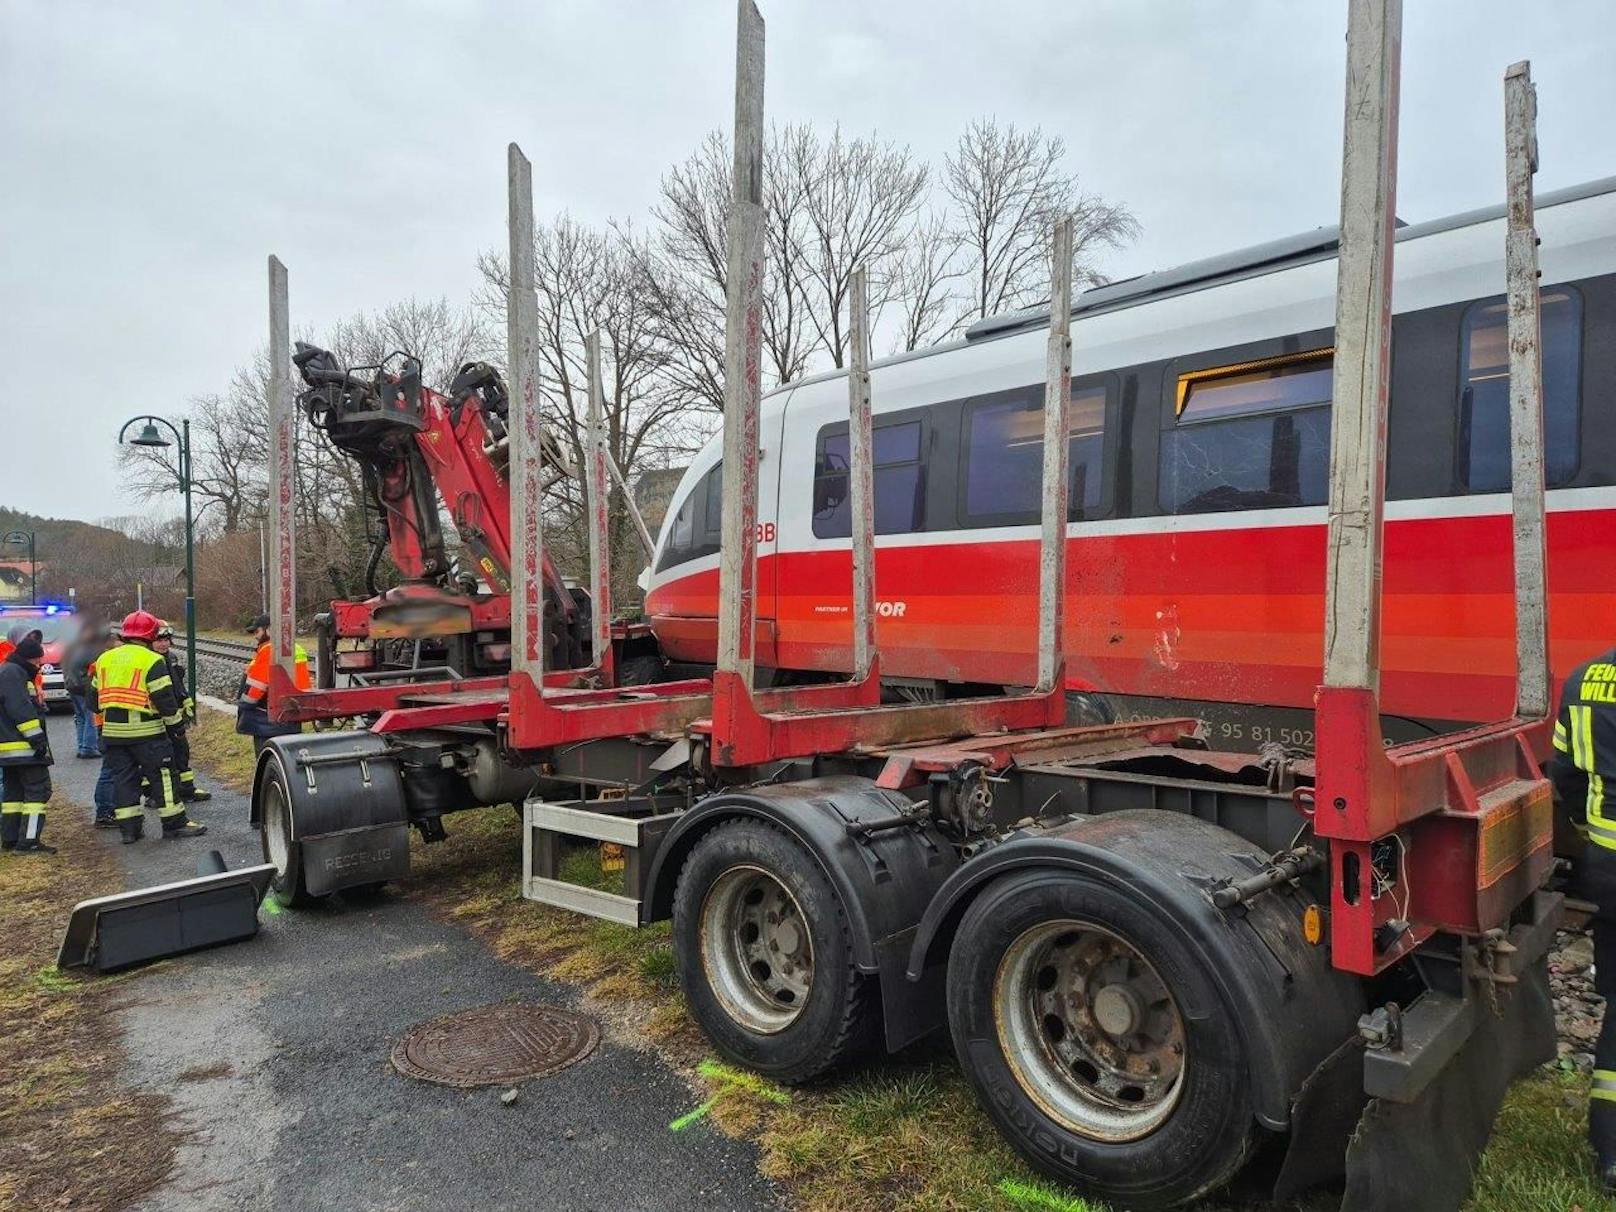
(1058, 429)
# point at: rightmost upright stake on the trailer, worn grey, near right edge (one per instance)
(1526, 398)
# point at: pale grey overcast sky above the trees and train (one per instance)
(153, 154)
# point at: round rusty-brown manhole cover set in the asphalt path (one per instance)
(495, 1045)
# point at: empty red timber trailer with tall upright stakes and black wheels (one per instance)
(1156, 961)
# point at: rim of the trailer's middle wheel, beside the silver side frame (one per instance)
(755, 949)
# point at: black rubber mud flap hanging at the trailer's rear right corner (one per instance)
(1425, 1153)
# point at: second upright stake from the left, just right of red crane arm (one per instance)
(528, 440)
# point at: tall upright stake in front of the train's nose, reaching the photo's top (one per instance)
(743, 363)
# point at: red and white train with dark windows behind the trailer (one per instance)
(1200, 476)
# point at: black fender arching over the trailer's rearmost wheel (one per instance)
(1292, 1008)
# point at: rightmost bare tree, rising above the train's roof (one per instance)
(1009, 187)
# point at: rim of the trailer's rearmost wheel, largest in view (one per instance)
(1090, 1030)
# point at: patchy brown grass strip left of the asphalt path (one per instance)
(70, 1134)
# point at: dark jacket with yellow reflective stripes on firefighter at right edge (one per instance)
(1586, 749)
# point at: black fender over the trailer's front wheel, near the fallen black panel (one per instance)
(345, 802)
